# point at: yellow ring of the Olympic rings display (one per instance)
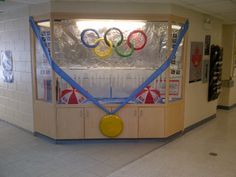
(103, 54)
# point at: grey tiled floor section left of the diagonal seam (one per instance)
(23, 155)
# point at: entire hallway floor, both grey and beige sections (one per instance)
(23, 155)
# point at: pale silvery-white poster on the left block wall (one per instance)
(7, 66)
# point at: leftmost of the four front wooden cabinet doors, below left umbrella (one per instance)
(70, 123)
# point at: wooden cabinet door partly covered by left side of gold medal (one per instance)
(93, 115)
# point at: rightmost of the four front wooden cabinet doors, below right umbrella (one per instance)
(151, 122)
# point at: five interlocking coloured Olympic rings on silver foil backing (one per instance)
(108, 52)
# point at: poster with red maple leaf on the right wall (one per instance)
(196, 53)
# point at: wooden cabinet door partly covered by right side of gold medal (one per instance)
(130, 120)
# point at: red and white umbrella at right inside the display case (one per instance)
(149, 95)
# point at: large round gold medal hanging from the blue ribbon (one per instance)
(111, 126)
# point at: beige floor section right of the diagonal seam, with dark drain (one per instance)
(188, 156)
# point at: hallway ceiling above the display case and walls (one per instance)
(223, 9)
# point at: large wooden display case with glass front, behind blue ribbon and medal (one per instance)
(110, 59)
